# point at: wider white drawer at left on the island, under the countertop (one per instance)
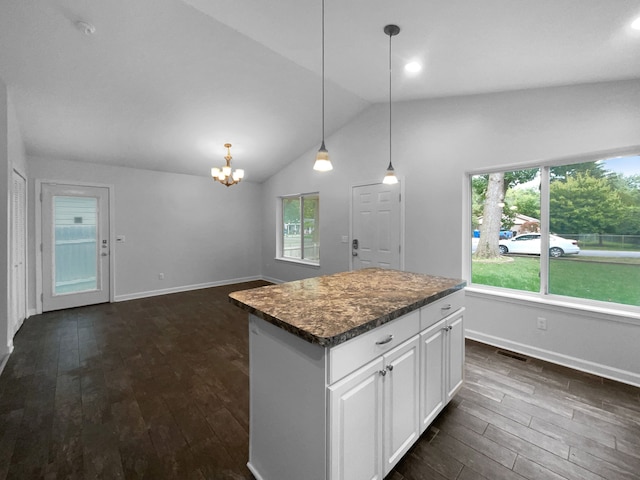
(354, 353)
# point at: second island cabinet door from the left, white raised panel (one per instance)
(401, 424)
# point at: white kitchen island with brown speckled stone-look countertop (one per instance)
(347, 370)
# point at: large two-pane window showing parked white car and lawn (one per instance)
(570, 230)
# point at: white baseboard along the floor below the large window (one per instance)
(605, 371)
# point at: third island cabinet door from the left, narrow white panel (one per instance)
(432, 391)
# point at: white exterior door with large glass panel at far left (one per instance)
(75, 246)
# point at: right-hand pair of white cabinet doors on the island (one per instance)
(442, 365)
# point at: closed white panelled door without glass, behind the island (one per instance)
(376, 226)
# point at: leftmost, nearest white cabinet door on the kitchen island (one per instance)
(355, 446)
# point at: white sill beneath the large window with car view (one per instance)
(624, 314)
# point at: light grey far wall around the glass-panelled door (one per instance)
(197, 232)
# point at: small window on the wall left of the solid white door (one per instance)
(300, 228)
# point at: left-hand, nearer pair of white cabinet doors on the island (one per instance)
(374, 415)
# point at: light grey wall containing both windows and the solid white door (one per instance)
(435, 143)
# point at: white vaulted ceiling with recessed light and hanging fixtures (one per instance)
(163, 84)
